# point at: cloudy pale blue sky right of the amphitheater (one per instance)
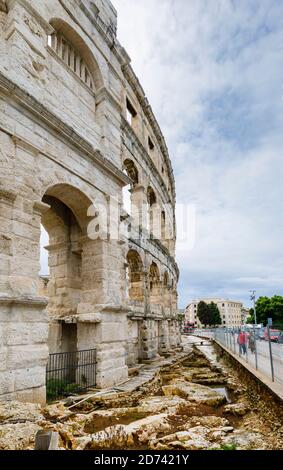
(213, 72)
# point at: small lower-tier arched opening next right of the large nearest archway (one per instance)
(135, 276)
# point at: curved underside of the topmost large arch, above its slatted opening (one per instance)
(64, 29)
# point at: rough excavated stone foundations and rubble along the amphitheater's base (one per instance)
(192, 403)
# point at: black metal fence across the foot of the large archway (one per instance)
(69, 373)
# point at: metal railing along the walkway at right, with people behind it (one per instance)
(262, 355)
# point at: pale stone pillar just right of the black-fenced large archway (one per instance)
(106, 325)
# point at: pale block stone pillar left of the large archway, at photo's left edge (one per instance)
(23, 316)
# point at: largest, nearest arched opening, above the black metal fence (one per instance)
(64, 224)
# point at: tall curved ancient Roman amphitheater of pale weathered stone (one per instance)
(76, 134)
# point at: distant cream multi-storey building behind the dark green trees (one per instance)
(230, 312)
